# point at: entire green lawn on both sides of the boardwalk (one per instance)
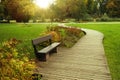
(26, 32)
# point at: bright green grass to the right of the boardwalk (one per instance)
(111, 32)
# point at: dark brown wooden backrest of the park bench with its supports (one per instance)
(37, 41)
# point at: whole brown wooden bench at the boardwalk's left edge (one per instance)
(44, 53)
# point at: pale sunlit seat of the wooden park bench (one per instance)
(49, 48)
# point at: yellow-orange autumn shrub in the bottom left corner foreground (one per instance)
(13, 67)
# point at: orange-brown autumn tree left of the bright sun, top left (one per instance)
(20, 10)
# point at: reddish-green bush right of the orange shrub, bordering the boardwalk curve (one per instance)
(72, 35)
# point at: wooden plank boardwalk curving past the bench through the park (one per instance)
(84, 61)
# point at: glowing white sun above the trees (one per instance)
(43, 3)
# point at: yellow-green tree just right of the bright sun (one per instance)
(69, 9)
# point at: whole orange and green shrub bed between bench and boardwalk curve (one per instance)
(68, 36)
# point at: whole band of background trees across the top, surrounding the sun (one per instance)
(23, 10)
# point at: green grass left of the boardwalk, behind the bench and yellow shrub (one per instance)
(23, 32)
